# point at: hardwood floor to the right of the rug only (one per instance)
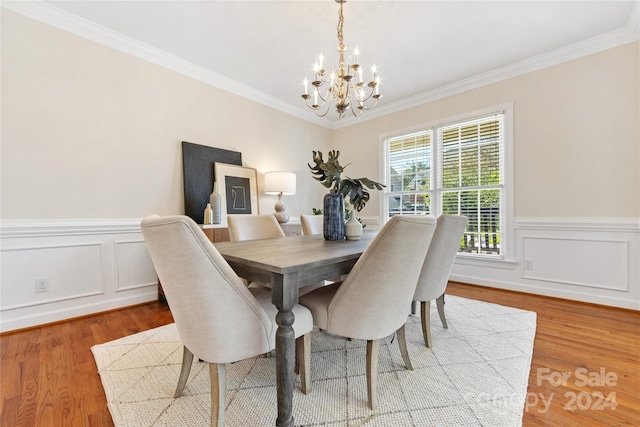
(592, 343)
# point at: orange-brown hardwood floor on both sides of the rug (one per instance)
(48, 375)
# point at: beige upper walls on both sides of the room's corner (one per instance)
(90, 132)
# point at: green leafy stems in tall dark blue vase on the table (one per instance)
(329, 174)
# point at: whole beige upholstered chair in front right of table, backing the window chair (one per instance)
(372, 302)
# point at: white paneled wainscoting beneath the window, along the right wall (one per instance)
(593, 260)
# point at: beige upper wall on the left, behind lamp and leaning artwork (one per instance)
(90, 132)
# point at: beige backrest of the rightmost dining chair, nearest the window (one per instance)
(440, 257)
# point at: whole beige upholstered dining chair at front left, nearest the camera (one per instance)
(218, 318)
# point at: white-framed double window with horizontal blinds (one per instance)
(454, 167)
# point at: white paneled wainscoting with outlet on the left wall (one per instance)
(91, 266)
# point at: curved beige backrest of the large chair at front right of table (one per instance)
(372, 301)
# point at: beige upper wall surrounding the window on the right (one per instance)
(576, 135)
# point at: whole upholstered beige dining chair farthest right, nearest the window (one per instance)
(437, 268)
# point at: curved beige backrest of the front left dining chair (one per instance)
(217, 317)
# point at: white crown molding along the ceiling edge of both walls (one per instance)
(59, 18)
